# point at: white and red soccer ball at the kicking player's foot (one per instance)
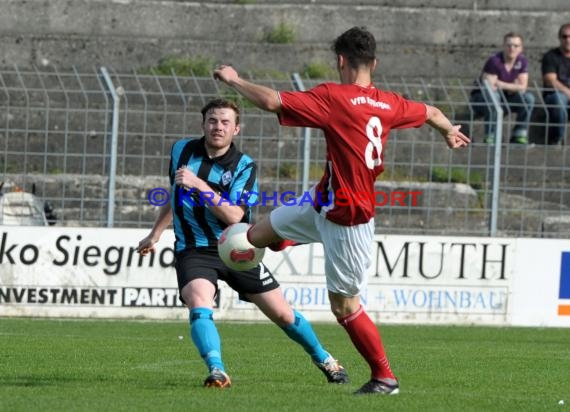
(235, 250)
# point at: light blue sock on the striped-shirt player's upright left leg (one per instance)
(206, 337)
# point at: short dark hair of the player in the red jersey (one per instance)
(357, 45)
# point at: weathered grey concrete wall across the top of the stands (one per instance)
(446, 39)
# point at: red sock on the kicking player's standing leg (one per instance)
(368, 342)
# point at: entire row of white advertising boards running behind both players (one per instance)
(94, 272)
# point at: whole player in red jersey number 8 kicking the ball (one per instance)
(356, 119)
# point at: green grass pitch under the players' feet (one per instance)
(96, 365)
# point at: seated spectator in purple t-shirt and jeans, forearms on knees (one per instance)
(507, 73)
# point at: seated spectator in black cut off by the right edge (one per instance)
(556, 77)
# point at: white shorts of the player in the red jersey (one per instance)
(347, 249)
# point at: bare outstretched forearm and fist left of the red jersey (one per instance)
(263, 97)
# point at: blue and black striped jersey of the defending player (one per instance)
(232, 175)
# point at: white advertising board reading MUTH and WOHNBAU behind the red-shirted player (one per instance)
(415, 279)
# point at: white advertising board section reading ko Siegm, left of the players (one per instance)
(85, 272)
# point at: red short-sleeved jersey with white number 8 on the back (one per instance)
(356, 122)
